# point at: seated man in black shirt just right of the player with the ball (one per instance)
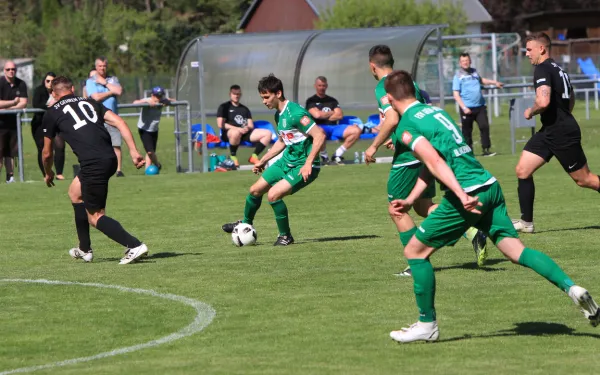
(327, 112)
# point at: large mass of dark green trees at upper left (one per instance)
(137, 36)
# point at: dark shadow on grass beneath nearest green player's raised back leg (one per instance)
(538, 329)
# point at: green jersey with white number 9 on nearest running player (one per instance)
(422, 121)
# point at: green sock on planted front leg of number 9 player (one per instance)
(424, 287)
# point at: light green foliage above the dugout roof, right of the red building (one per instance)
(380, 13)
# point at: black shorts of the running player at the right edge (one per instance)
(569, 152)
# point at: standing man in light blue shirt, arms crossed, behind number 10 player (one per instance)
(106, 90)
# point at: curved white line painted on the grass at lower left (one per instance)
(204, 316)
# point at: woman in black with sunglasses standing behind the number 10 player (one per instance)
(42, 100)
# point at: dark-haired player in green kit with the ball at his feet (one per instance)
(300, 141)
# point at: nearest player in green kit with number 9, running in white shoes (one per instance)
(473, 198)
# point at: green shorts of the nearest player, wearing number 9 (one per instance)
(446, 224)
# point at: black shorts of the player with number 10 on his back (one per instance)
(94, 176)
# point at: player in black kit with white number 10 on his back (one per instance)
(80, 123)
